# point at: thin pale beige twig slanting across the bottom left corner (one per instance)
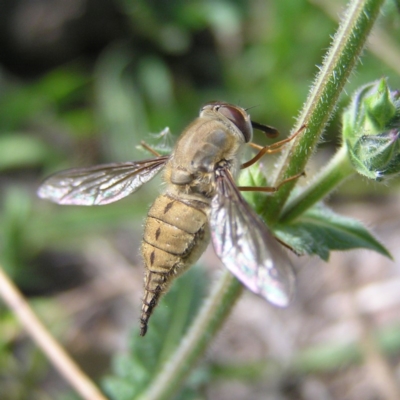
(55, 353)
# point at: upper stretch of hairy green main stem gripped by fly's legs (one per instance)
(342, 56)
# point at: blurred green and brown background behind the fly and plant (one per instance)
(82, 82)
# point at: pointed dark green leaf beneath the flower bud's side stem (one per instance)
(320, 230)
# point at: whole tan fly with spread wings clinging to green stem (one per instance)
(200, 202)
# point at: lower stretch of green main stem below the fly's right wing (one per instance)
(209, 319)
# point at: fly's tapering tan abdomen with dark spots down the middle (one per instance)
(175, 235)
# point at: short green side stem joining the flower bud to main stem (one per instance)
(338, 169)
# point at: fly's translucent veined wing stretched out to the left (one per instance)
(102, 184)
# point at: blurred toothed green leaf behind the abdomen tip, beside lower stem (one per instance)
(134, 371)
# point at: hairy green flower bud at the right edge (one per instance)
(371, 130)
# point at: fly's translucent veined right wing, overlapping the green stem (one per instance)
(246, 247)
